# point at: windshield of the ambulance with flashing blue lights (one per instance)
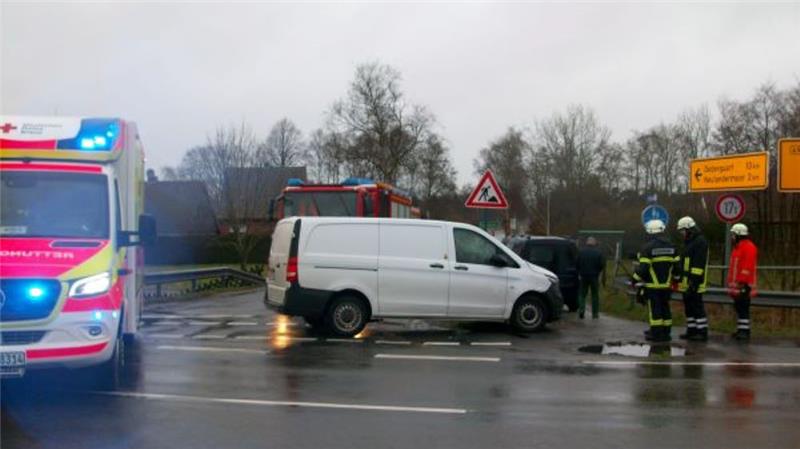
(53, 204)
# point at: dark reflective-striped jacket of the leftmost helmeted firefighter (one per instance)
(658, 260)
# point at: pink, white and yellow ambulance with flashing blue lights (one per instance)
(72, 229)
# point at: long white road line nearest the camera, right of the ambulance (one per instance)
(329, 405)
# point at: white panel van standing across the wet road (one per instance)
(341, 272)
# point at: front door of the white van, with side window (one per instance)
(478, 289)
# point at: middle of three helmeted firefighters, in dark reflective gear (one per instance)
(693, 278)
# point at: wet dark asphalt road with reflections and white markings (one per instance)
(222, 372)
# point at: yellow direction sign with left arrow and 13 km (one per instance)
(748, 171)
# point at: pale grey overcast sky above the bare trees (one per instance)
(181, 69)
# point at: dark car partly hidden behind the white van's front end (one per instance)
(556, 254)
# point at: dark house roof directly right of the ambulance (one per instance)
(180, 208)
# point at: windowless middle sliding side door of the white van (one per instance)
(413, 279)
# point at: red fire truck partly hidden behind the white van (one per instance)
(353, 197)
